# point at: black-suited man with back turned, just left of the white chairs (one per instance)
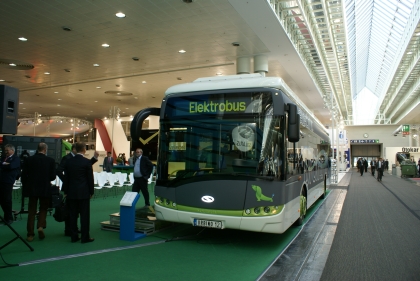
(78, 187)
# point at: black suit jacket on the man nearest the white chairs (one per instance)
(78, 178)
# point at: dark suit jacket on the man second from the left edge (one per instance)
(37, 174)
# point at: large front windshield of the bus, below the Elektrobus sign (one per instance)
(211, 146)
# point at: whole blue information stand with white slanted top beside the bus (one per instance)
(128, 217)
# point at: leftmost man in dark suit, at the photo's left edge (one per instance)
(10, 169)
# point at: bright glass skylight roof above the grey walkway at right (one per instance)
(375, 33)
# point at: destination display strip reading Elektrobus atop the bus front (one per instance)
(217, 104)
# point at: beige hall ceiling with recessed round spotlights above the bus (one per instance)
(78, 58)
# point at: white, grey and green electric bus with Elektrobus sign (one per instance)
(237, 152)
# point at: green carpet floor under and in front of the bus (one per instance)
(192, 254)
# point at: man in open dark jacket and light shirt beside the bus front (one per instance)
(143, 167)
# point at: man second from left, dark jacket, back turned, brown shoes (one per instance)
(37, 174)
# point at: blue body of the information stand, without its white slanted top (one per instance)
(127, 221)
